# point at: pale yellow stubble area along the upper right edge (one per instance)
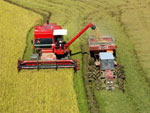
(137, 22)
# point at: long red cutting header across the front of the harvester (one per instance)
(51, 64)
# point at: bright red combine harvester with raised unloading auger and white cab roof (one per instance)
(50, 51)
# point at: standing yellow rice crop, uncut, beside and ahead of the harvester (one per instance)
(44, 91)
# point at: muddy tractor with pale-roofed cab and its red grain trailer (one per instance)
(103, 51)
